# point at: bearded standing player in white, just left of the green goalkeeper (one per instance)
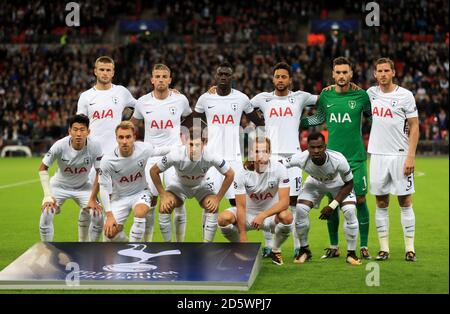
(282, 111)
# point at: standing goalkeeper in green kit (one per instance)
(342, 107)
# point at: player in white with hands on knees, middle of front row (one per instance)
(191, 163)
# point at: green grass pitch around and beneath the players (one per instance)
(21, 195)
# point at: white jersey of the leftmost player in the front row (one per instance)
(73, 165)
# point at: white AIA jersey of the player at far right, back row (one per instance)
(390, 112)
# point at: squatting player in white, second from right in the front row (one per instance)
(262, 200)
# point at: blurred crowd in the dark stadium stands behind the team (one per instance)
(44, 65)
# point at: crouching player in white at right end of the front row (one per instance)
(329, 172)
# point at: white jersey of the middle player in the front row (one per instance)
(192, 173)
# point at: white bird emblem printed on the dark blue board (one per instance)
(143, 265)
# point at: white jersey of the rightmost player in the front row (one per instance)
(334, 172)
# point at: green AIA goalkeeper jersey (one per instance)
(342, 113)
